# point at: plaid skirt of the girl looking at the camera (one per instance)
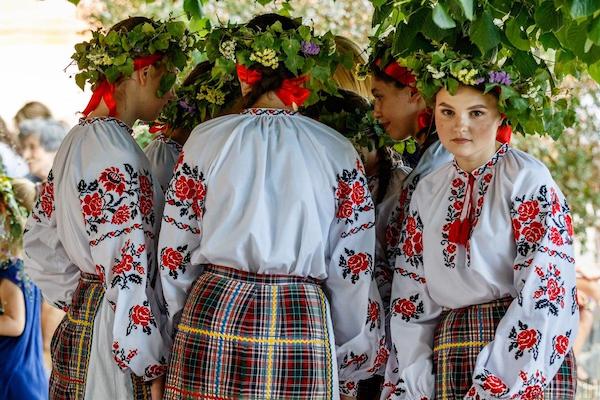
(460, 336)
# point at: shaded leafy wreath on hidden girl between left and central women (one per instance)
(204, 99)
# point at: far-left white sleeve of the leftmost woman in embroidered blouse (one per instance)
(45, 258)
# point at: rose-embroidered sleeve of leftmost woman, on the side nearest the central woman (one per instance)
(118, 212)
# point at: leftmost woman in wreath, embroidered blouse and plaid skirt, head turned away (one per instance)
(90, 242)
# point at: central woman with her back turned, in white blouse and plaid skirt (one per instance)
(267, 241)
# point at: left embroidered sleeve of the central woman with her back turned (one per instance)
(180, 235)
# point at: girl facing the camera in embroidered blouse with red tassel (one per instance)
(484, 302)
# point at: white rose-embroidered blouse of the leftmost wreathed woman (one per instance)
(99, 213)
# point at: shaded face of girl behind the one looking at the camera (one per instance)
(392, 108)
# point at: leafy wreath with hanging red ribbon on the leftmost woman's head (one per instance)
(109, 56)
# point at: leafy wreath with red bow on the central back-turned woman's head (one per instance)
(310, 58)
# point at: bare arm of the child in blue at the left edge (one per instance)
(12, 321)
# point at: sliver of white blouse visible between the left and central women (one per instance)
(163, 152)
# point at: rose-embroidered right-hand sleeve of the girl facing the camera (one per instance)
(537, 331)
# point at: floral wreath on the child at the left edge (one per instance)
(12, 215)
